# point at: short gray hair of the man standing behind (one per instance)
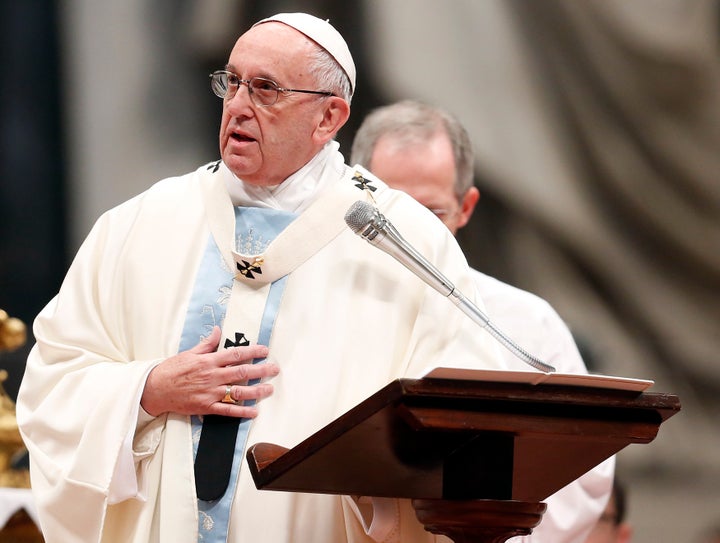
(410, 122)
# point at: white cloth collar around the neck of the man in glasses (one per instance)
(298, 191)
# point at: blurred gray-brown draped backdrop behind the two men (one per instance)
(596, 125)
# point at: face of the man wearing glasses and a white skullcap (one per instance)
(264, 145)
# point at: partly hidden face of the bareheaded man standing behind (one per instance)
(425, 171)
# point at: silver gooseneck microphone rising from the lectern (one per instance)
(367, 222)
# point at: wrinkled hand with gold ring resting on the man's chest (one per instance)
(194, 382)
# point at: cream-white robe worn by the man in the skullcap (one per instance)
(351, 320)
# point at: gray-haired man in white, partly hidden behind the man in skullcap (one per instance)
(427, 153)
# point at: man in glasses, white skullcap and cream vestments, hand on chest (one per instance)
(247, 259)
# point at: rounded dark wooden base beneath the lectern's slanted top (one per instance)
(479, 521)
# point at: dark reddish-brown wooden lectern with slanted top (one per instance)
(477, 457)
